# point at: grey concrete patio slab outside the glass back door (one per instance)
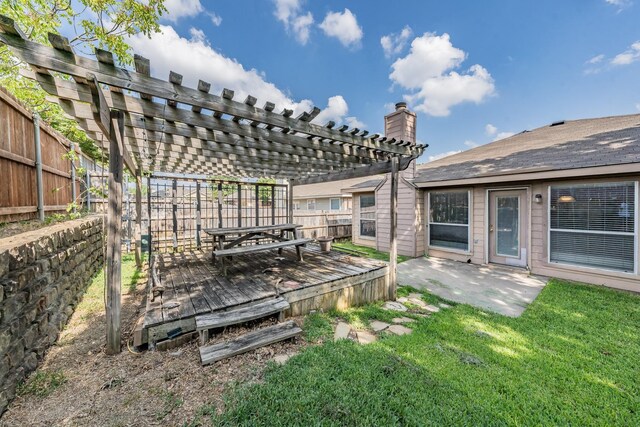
(499, 289)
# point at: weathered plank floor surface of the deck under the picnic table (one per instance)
(197, 284)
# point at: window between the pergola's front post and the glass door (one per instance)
(449, 220)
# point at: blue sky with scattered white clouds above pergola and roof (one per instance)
(473, 70)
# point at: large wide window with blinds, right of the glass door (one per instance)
(593, 225)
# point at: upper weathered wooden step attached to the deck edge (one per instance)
(220, 319)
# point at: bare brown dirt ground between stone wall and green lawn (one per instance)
(151, 388)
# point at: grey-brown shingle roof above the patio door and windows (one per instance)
(570, 145)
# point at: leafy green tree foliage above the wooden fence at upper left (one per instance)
(97, 23)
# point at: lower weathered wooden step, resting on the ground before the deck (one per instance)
(251, 341)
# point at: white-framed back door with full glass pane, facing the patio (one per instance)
(508, 225)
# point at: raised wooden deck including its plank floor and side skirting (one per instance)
(192, 285)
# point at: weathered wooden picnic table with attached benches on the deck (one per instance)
(227, 241)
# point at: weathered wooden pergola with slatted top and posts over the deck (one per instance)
(153, 125)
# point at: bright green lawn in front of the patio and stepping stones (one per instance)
(571, 359)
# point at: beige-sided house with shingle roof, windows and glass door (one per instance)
(560, 200)
